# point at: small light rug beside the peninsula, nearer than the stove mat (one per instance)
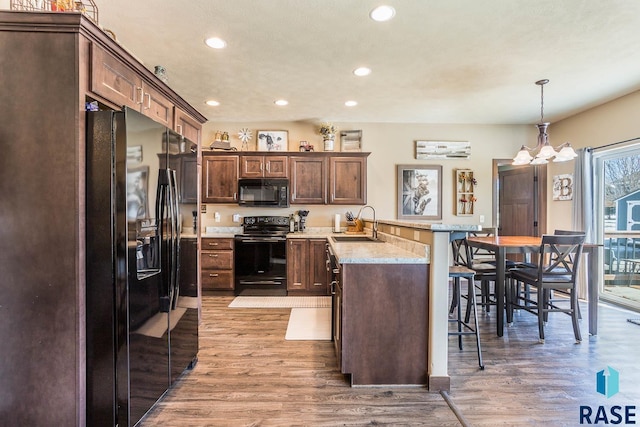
(309, 324)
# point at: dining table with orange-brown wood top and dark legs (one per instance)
(503, 245)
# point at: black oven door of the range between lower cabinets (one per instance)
(260, 264)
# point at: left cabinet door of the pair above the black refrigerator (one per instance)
(113, 80)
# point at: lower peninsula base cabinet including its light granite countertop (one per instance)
(380, 310)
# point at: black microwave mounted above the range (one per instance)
(266, 192)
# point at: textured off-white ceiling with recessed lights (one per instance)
(437, 61)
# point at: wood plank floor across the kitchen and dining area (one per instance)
(248, 375)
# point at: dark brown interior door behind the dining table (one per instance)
(522, 201)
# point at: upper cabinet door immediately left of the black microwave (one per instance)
(220, 179)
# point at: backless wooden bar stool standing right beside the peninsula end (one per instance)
(458, 272)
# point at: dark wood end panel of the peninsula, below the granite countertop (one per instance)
(383, 323)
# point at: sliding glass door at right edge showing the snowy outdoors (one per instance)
(617, 184)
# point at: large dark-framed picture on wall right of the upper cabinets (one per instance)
(419, 192)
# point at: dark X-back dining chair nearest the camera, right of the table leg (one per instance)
(558, 262)
